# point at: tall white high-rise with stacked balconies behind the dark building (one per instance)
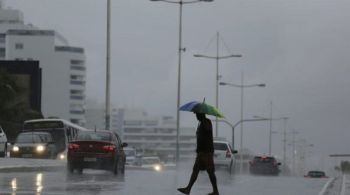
(63, 66)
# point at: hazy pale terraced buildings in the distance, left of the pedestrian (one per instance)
(150, 135)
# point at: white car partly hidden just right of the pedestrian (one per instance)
(224, 155)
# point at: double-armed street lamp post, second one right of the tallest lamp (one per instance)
(242, 86)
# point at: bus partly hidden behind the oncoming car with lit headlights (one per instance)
(62, 132)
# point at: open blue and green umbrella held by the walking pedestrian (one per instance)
(201, 107)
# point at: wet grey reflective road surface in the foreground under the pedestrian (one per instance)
(136, 182)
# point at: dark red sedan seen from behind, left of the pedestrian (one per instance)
(96, 150)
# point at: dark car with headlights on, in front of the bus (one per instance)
(33, 145)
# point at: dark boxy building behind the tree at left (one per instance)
(28, 78)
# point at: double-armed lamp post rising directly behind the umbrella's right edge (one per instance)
(217, 58)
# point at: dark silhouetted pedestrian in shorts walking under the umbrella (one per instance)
(205, 151)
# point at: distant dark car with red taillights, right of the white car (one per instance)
(264, 165)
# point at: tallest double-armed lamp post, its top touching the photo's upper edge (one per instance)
(180, 50)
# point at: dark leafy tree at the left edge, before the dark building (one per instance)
(14, 110)
